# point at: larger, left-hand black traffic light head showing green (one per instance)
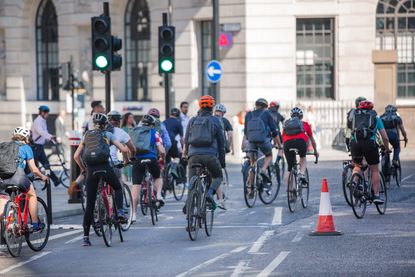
(101, 42)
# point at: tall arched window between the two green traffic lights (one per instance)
(137, 50)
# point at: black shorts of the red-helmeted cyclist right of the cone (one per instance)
(367, 149)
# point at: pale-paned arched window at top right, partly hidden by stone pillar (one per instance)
(395, 29)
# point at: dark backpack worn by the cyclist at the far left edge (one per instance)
(9, 153)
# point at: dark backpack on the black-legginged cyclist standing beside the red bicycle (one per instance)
(97, 148)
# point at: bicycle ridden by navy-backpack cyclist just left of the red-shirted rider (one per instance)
(255, 185)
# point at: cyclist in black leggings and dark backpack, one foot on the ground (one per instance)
(95, 151)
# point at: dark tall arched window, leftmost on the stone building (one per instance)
(47, 64)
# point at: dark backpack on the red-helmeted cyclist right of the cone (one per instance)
(364, 124)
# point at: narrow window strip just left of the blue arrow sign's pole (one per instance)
(205, 54)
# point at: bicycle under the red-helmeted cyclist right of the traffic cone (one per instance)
(361, 193)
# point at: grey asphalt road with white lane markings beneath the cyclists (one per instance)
(262, 241)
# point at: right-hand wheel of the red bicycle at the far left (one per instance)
(37, 241)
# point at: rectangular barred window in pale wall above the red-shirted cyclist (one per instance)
(315, 58)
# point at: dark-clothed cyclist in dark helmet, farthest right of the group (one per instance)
(393, 124)
